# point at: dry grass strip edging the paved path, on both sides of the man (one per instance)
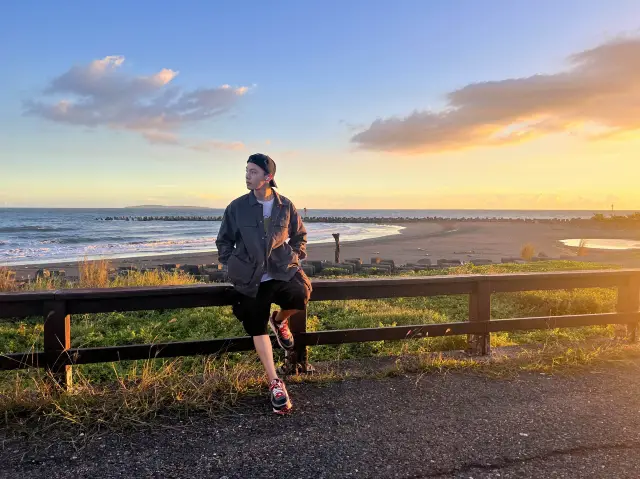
(160, 388)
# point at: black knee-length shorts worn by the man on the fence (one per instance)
(254, 313)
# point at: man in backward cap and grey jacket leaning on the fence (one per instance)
(263, 267)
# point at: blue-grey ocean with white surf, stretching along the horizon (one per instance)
(42, 235)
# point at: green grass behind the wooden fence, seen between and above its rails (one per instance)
(110, 329)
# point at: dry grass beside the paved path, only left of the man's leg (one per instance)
(152, 389)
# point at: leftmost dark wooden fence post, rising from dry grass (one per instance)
(57, 341)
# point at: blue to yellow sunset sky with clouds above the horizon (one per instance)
(466, 104)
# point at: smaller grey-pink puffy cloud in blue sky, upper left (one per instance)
(100, 94)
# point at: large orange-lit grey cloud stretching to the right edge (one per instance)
(597, 96)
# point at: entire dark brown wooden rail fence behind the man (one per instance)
(57, 307)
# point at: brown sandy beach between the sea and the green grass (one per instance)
(463, 240)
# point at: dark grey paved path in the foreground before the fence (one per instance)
(585, 425)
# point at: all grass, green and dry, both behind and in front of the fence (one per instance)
(131, 391)
